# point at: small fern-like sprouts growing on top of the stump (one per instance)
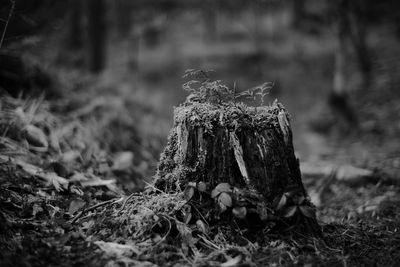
(203, 89)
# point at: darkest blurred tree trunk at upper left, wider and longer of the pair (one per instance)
(96, 34)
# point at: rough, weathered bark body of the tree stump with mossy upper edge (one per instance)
(249, 148)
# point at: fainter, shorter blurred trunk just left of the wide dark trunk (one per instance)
(75, 40)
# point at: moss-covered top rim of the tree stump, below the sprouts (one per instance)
(227, 115)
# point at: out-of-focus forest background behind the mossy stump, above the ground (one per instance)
(334, 64)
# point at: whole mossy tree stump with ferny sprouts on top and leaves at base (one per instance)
(234, 163)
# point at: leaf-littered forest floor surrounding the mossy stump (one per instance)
(71, 168)
